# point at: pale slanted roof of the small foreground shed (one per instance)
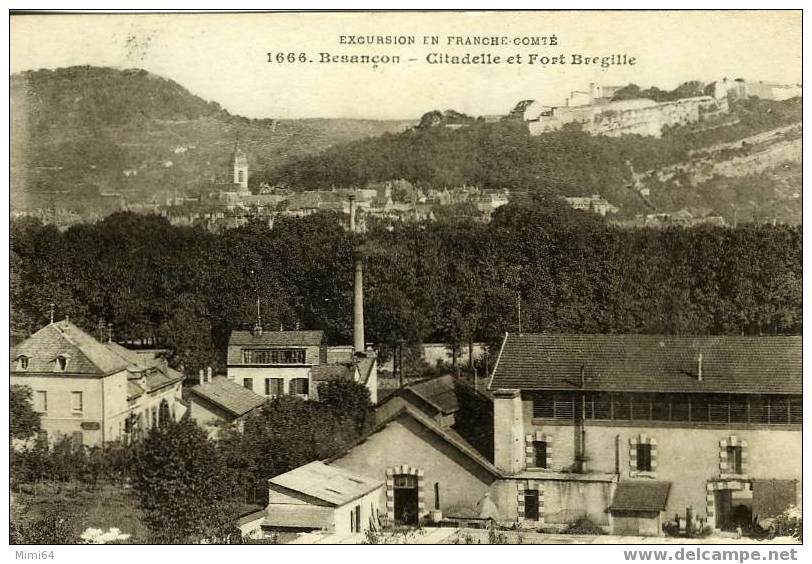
(330, 484)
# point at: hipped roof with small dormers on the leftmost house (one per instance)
(85, 354)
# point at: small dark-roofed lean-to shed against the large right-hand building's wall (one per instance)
(637, 508)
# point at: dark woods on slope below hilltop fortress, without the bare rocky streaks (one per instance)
(504, 155)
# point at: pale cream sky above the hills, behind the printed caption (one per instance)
(223, 57)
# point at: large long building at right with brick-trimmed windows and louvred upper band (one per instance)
(631, 429)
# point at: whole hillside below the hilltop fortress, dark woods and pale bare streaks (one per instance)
(745, 160)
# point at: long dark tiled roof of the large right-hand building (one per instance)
(650, 363)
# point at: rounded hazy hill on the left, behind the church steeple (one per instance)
(81, 131)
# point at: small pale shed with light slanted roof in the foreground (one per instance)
(321, 497)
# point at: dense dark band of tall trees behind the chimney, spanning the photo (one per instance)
(187, 289)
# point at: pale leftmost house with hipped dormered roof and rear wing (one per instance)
(94, 392)
